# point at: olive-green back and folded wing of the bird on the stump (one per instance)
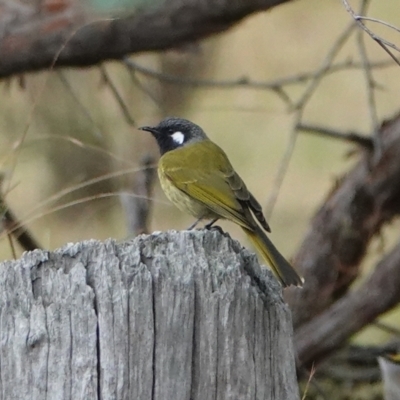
(211, 181)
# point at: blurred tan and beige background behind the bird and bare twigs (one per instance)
(68, 150)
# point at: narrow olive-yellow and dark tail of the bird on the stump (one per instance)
(279, 265)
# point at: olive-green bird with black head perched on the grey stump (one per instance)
(197, 176)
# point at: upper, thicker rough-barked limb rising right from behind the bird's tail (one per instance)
(337, 240)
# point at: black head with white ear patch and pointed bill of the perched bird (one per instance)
(173, 132)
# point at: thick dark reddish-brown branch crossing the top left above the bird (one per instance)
(35, 46)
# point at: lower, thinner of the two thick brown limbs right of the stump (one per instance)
(330, 330)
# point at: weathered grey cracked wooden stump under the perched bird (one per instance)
(176, 315)
